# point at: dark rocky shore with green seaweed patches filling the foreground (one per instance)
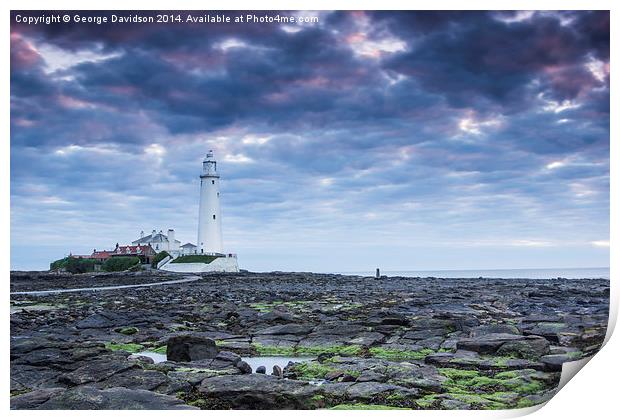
(414, 343)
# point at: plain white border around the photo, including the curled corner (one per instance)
(592, 395)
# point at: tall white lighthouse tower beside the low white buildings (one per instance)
(209, 214)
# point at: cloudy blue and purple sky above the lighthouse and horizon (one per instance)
(400, 140)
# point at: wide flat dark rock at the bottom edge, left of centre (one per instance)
(89, 398)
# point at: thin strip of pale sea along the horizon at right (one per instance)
(515, 273)
